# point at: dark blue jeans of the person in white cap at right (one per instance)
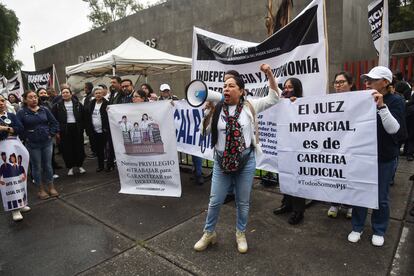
(380, 217)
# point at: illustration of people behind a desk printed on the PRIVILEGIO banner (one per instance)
(141, 135)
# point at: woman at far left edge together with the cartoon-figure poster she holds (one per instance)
(10, 127)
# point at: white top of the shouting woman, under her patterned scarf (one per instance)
(243, 120)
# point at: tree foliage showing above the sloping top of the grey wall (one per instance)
(106, 11)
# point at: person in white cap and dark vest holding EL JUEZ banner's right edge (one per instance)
(390, 129)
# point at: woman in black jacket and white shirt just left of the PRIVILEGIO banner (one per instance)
(98, 125)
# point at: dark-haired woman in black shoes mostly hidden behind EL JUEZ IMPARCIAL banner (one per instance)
(292, 89)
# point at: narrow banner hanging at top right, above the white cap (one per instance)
(378, 21)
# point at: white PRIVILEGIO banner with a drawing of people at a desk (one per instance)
(146, 156)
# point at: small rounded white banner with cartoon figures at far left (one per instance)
(13, 173)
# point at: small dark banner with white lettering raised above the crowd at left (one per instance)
(38, 79)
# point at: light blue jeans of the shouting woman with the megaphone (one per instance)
(220, 184)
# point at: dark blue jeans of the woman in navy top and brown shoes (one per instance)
(41, 161)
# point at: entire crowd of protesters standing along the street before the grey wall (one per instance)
(47, 122)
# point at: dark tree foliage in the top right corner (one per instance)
(401, 15)
